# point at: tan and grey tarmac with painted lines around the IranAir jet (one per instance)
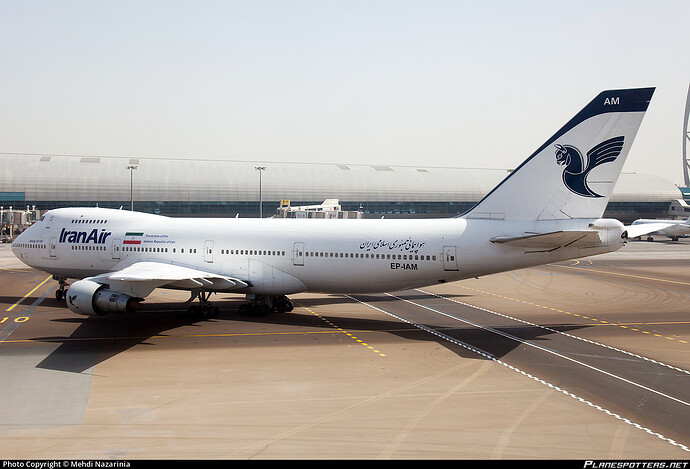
(585, 359)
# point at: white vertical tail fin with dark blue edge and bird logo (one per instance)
(572, 175)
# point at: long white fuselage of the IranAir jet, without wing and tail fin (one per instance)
(284, 256)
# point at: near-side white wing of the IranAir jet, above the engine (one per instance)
(149, 275)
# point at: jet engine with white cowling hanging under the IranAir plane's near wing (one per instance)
(93, 299)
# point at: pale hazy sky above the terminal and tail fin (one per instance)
(433, 83)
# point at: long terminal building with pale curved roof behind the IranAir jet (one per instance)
(220, 188)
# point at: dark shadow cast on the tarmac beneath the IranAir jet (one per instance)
(97, 339)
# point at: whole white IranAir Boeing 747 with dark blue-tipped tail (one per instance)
(547, 210)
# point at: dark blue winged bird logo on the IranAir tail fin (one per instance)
(577, 167)
